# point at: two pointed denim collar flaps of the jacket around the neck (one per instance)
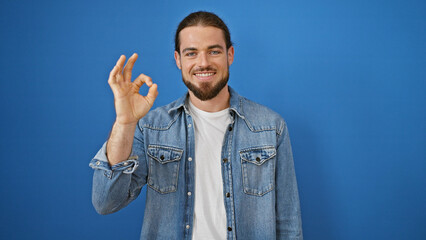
(235, 103)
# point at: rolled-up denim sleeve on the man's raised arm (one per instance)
(114, 187)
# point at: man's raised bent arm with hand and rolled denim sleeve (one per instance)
(115, 182)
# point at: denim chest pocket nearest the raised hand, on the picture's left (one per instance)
(163, 168)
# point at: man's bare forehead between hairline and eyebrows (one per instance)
(201, 36)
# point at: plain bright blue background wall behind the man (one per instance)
(349, 77)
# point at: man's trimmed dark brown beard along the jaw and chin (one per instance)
(207, 90)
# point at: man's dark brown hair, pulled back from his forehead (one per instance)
(202, 18)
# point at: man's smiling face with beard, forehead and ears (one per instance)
(204, 60)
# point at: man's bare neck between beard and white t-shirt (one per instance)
(216, 104)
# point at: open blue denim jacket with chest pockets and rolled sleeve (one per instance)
(259, 183)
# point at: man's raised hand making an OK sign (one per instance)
(130, 106)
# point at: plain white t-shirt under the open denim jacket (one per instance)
(209, 207)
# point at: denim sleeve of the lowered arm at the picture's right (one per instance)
(288, 216)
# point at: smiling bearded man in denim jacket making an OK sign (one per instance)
(217, 165)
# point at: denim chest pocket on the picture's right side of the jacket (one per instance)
(258, 170)
